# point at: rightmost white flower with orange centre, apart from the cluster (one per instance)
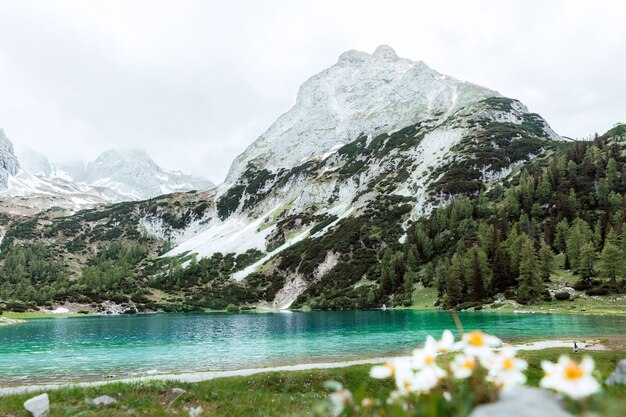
(570, 378)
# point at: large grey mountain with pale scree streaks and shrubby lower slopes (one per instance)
(314, 210)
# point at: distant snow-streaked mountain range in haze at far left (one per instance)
(34, 184)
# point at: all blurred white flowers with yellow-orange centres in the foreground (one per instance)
(480, 358)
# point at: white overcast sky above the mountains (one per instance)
(194, 82)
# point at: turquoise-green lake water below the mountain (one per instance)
(66, 349)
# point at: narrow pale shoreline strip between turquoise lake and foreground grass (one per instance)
(194, 377)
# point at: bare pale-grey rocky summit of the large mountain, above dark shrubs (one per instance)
(360, 94)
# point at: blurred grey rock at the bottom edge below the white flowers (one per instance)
(522, 402)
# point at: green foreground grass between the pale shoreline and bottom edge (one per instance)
(276, 394)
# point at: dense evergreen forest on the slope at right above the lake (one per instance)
(505, 240)
